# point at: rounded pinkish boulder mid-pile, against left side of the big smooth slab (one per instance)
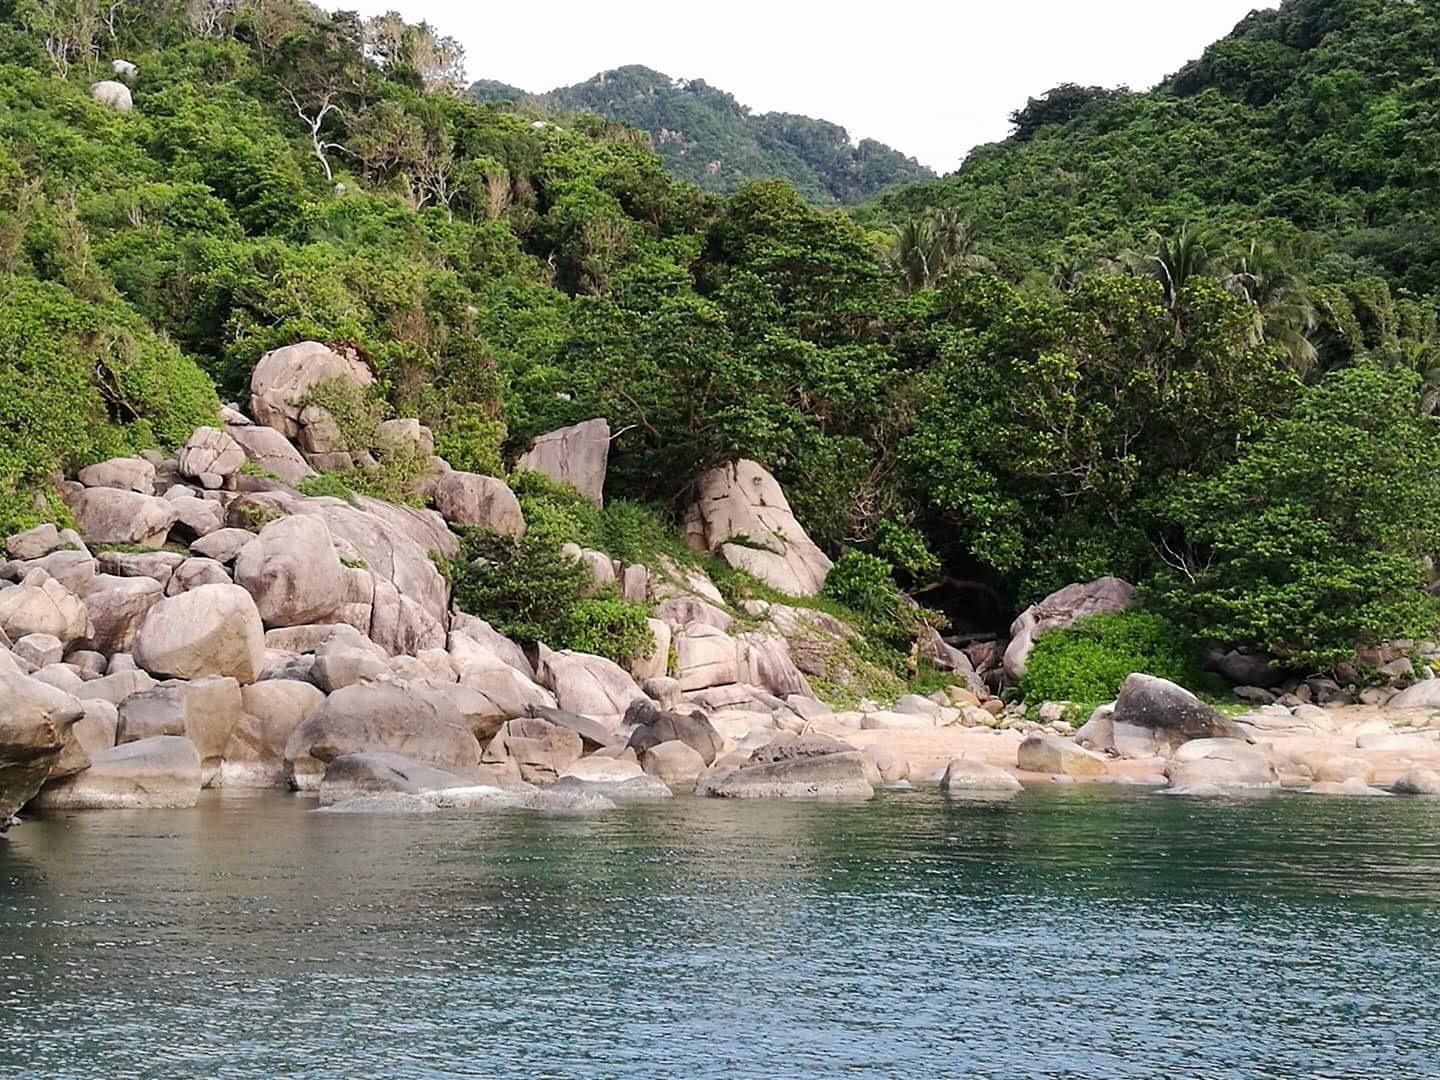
(293, 571)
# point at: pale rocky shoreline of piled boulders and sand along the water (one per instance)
(210, 626)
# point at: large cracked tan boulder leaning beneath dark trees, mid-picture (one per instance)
(742, 515)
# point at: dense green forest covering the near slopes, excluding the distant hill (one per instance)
(1184, 338)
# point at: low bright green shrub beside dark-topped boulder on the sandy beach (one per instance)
(1088, 663)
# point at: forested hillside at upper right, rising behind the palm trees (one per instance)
(1317, 125)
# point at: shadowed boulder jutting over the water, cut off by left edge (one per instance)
(35, 726)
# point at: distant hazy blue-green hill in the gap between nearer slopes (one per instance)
(708, 138)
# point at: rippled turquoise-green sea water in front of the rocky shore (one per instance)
(1081, 932)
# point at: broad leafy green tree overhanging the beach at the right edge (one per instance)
(1315, 539)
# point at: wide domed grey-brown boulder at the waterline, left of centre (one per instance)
(378, 716)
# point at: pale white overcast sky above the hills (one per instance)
(930, 78)
